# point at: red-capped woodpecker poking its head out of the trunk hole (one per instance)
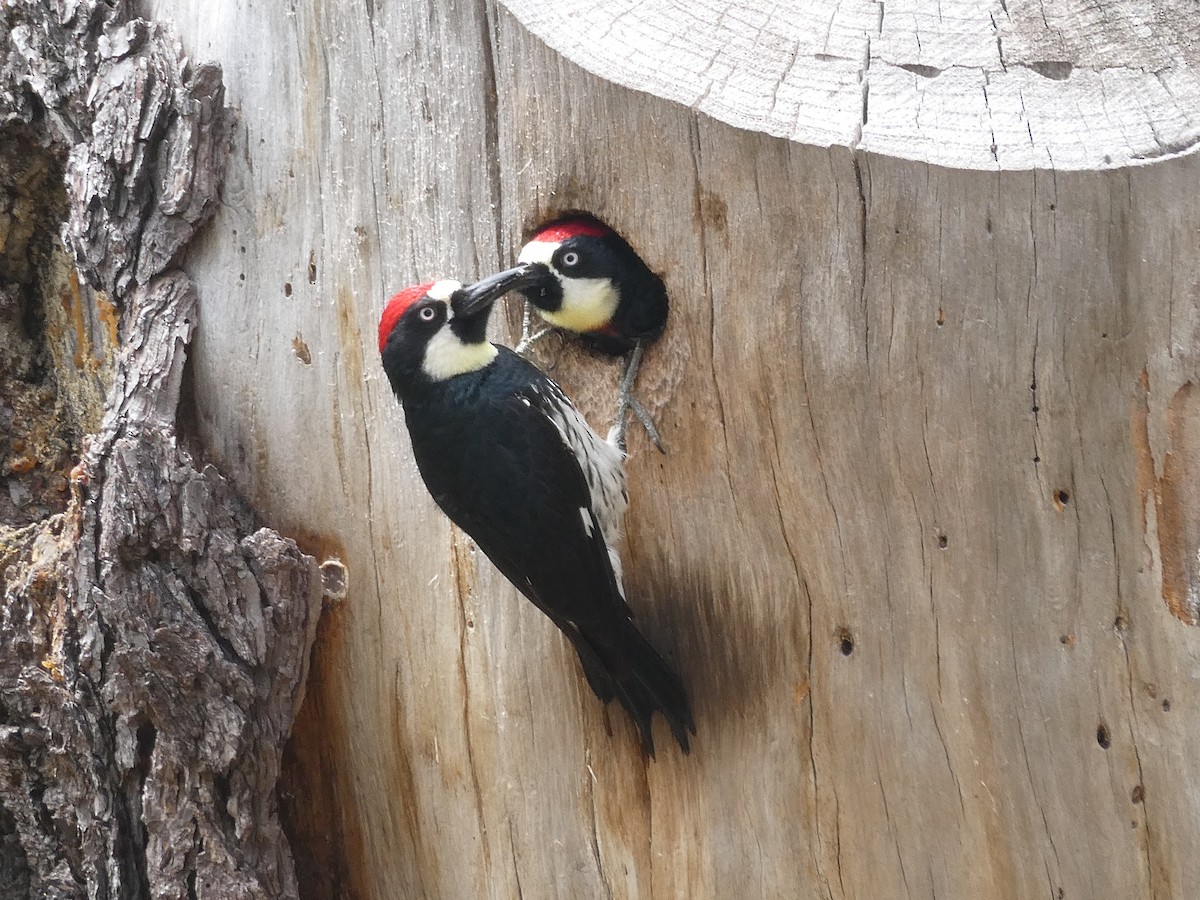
(592, 283)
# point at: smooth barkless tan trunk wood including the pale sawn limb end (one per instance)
(925, 544)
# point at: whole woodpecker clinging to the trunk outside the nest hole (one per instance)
(509, 459)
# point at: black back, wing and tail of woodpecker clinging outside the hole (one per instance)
(499, 466)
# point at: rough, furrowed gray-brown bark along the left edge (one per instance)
(154, 641)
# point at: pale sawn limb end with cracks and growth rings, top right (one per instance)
(964, 83)
